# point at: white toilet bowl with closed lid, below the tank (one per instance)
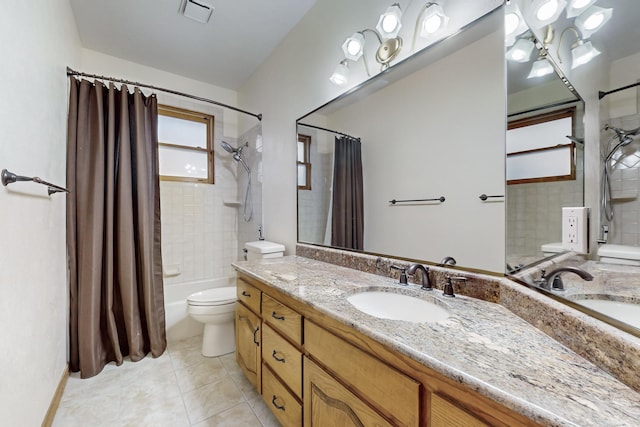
(216, 309)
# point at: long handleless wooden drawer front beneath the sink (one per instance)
(370, 378)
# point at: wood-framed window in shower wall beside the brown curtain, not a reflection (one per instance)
(185, 146)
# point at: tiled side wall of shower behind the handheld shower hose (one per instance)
(248, 230)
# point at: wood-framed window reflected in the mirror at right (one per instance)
(538, 149)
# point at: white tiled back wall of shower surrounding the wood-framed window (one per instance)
(199, 232)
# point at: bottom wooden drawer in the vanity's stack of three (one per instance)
(280, 401)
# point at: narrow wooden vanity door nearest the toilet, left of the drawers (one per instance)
(248, 337)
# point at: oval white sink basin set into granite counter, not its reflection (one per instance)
(388, 305)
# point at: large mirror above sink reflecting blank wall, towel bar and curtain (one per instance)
(428, 152)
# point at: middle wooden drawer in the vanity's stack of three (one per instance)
(283, 358)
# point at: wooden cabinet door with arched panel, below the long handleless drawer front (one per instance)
(329, 403)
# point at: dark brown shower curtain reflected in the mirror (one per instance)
(347, 214)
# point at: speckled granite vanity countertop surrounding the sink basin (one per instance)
(482, 345)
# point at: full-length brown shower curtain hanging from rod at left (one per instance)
(113, 227)
